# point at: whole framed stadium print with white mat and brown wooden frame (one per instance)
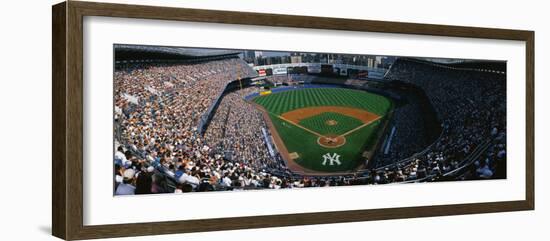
(171, 120)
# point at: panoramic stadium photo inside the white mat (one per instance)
(198, 120)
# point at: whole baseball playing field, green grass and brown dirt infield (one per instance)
(325, 130)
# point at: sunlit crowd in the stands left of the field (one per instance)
(157, 109)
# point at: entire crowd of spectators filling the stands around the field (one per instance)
(159, 150)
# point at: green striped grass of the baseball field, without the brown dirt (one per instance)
(305, 143)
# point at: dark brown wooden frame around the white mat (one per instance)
(67, 123)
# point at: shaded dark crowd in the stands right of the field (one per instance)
(472, 107)
